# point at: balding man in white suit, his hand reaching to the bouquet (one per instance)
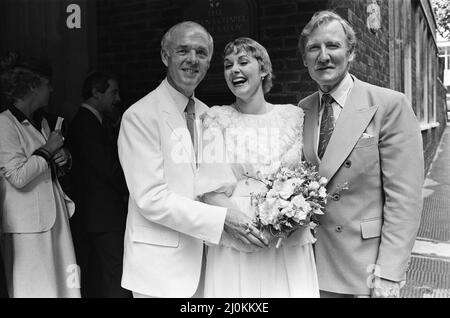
(165, 227)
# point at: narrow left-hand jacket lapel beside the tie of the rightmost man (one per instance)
(310, 133)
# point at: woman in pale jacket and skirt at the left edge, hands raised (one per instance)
(37, 244)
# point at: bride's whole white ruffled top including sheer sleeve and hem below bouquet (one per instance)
(237, 147)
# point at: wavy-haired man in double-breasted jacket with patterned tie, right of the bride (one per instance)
(369, 137)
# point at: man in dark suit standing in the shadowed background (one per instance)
(97, 185)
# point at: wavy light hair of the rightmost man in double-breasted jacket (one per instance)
(324, 17)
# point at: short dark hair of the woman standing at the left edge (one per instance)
(19, 74)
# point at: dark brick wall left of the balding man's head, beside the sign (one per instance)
(129, 34)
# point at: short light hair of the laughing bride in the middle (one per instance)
(257, 51)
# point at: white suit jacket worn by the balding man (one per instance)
(165, 227)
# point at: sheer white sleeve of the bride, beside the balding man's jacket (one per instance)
(214, 173)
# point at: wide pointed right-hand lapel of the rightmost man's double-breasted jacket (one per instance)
(353, 120)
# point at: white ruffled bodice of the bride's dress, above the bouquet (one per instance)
(257, 143)
